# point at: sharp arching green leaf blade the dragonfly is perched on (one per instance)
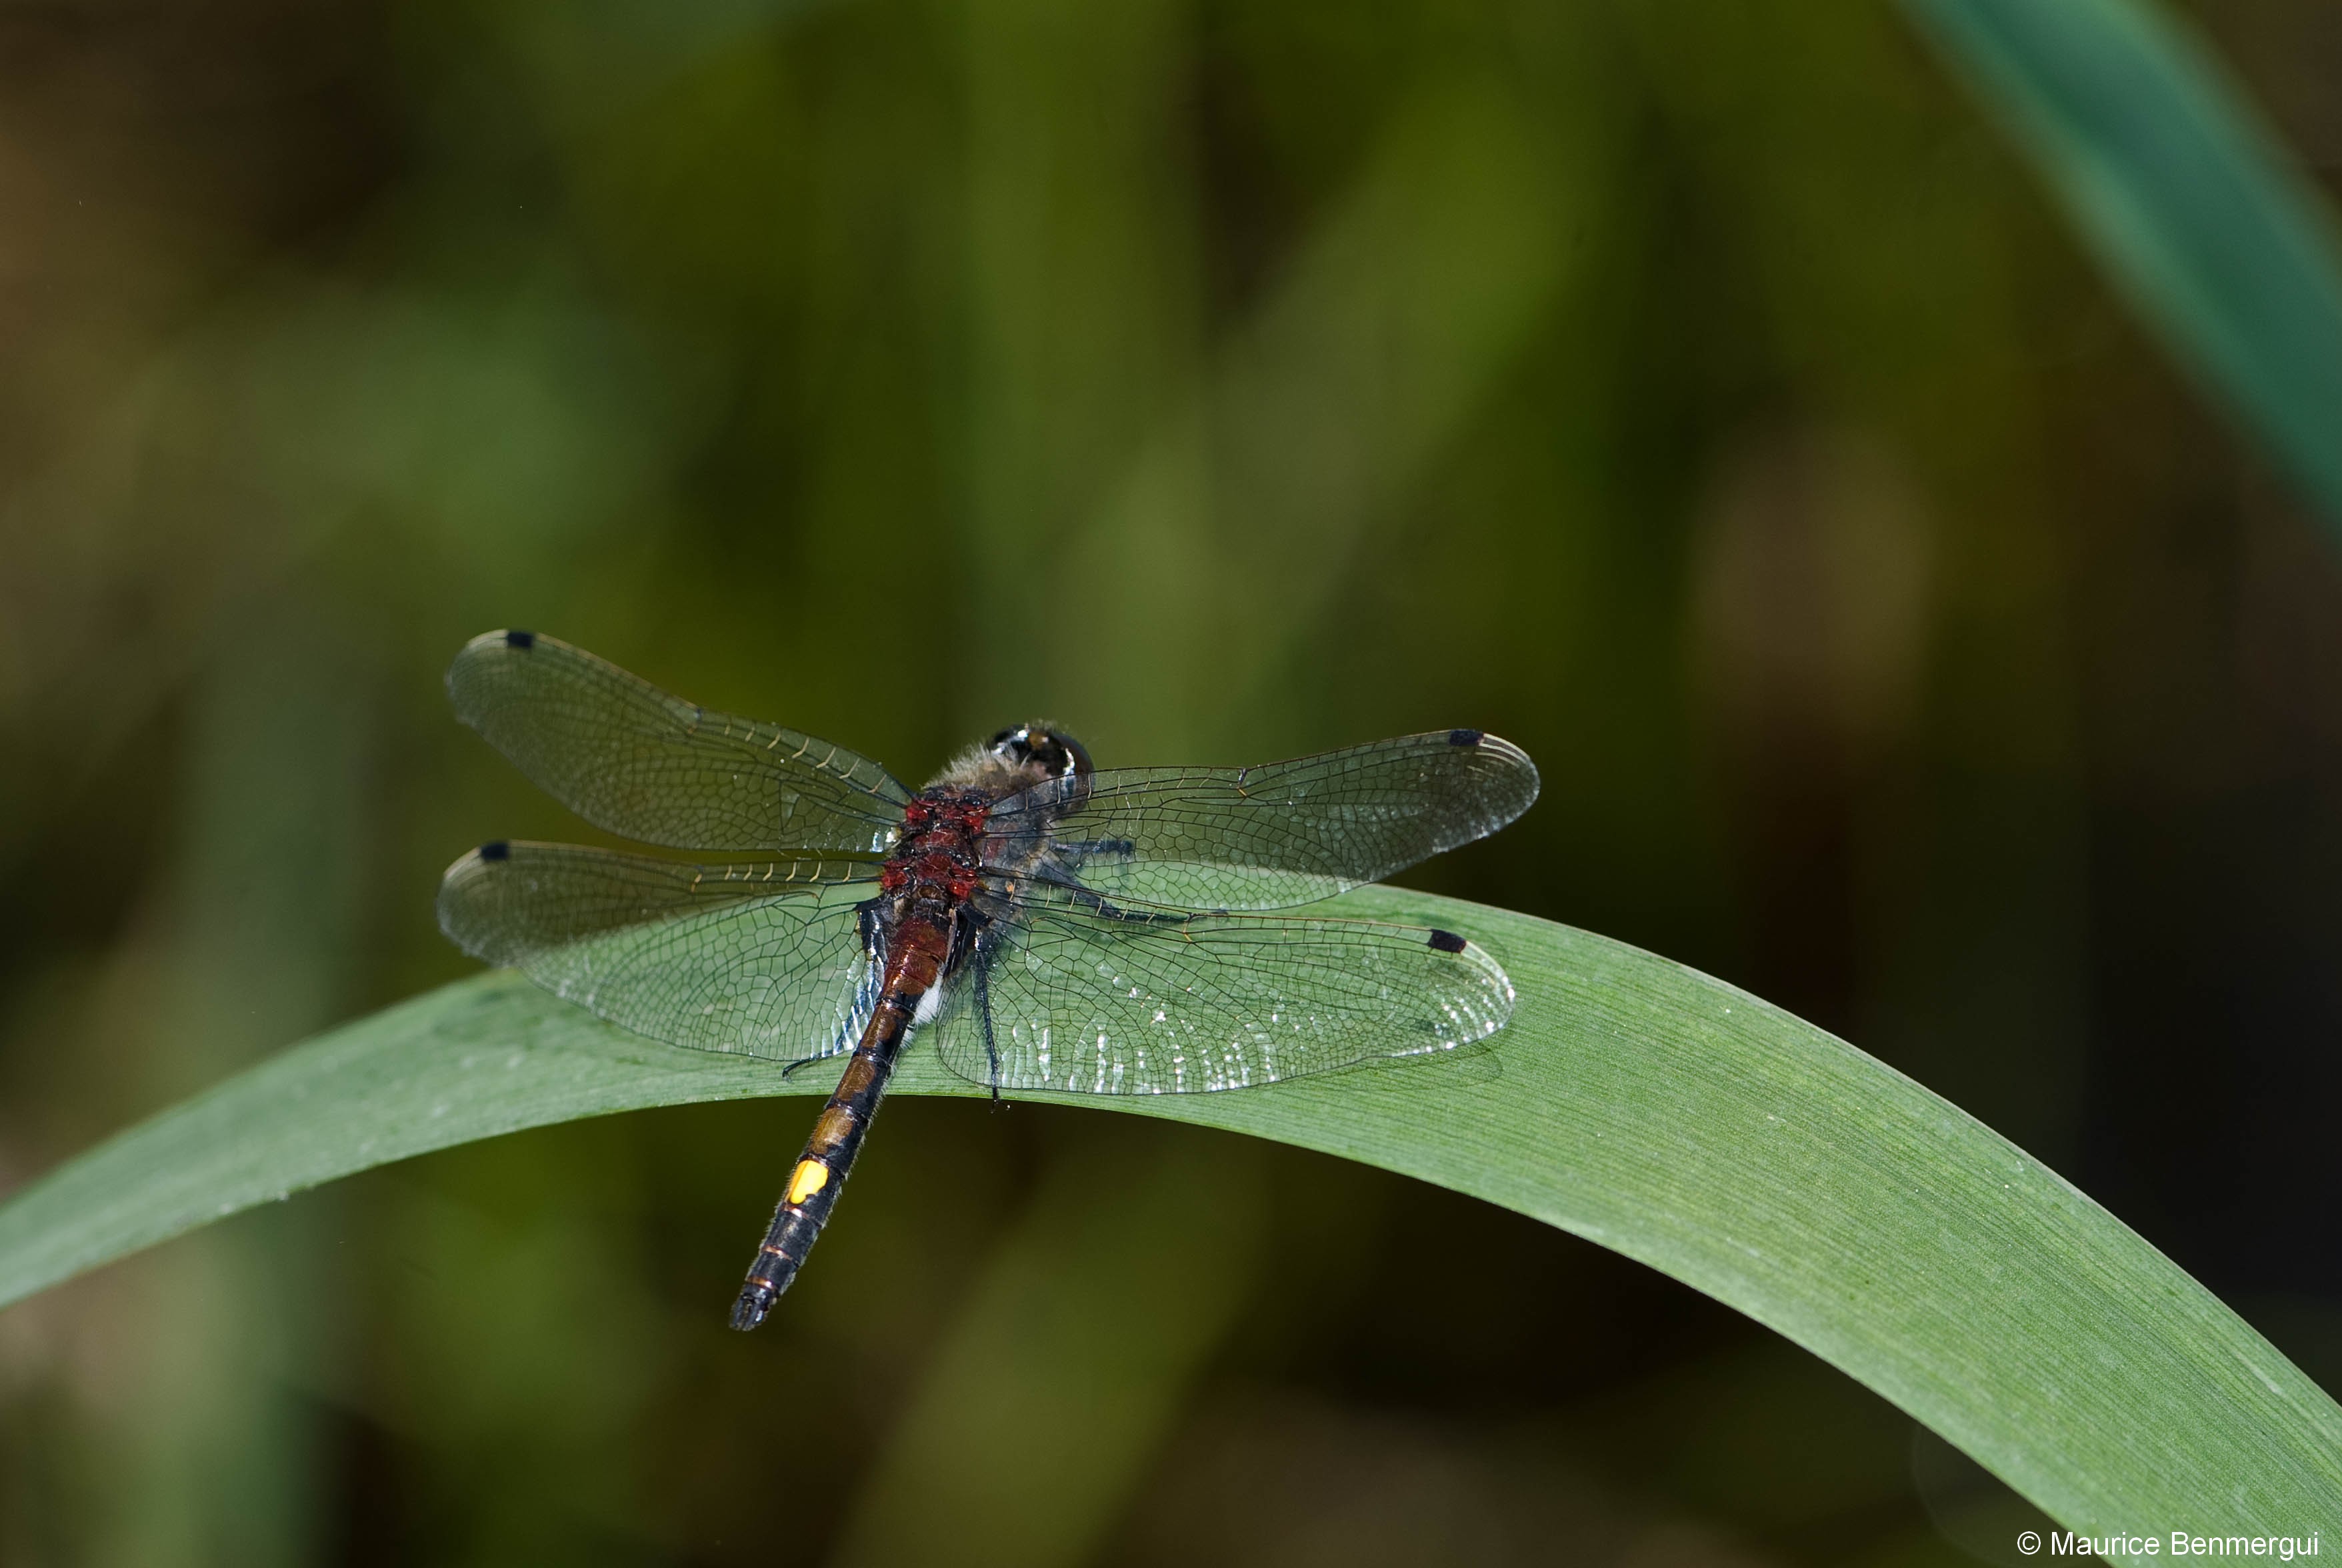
(1641, 1106)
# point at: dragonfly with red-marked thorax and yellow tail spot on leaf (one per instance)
(1046, 923)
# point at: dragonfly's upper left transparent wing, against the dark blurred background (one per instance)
(631, 759)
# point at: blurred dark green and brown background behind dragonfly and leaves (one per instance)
(1704, 397)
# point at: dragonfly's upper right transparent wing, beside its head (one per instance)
(1235, 839)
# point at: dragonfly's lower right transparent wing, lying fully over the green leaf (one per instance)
(1109, 1005)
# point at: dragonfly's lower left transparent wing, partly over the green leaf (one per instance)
(753, 961)
